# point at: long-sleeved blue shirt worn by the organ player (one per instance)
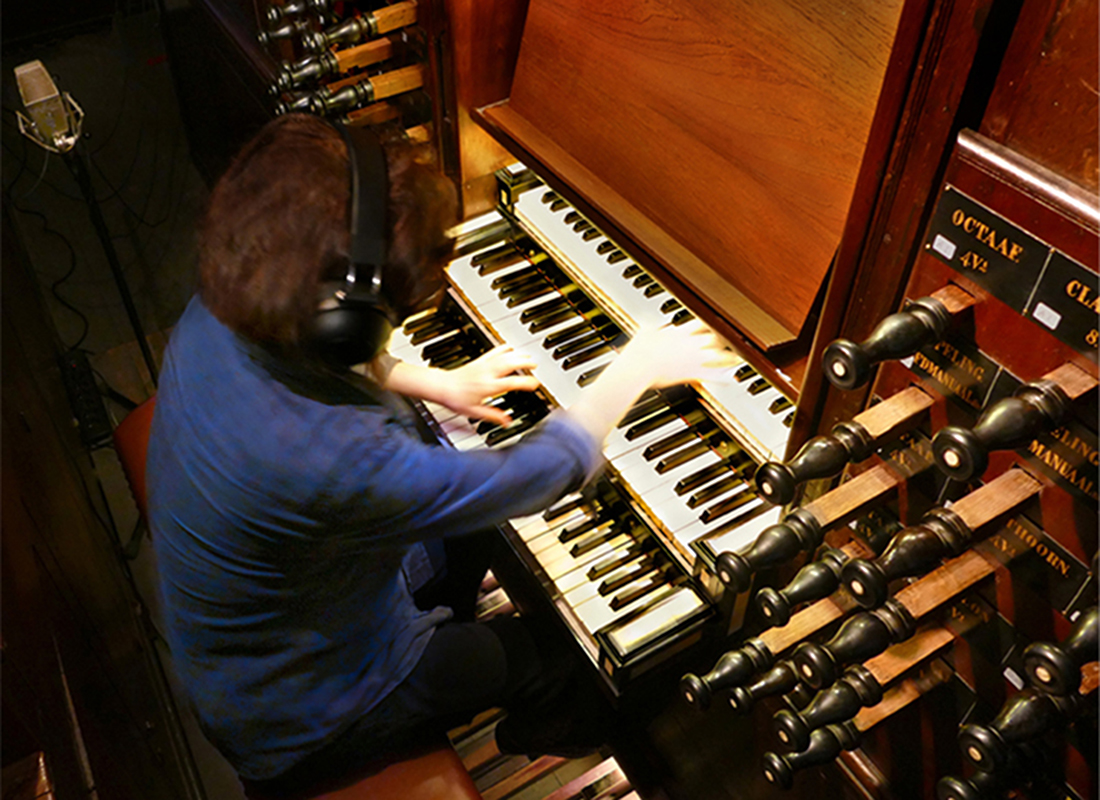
(285, 517)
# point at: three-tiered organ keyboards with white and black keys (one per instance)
(621, 563)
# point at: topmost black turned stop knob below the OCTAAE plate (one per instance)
(849, 365)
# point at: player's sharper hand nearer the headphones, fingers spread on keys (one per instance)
(468, 389)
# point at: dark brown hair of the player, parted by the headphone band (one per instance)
(277, 228)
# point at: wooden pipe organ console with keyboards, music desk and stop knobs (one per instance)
(859, 549)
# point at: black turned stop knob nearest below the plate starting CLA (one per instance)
(1011, 423)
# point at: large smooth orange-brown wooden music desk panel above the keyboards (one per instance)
(738, 129)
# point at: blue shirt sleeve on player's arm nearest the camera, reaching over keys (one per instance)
(402, 490)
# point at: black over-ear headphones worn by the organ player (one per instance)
(354, 323)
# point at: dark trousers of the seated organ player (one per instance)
(467, 669)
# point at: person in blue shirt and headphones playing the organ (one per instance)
(300, 519)
